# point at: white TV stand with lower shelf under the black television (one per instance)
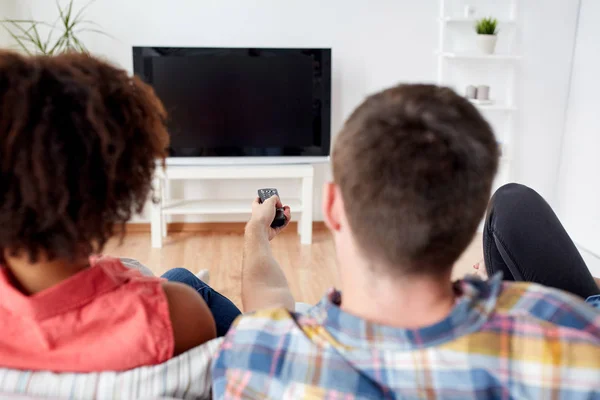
(165, 206)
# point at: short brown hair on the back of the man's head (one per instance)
(415, 165)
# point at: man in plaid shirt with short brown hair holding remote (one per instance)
(413, 169)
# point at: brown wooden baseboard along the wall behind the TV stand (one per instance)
(175, 227)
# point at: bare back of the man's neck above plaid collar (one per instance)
(408, 302)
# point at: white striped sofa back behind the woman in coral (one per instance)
(184, 377)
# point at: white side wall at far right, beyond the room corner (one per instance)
(579, 185)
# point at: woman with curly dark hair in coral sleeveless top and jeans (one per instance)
(79, 142)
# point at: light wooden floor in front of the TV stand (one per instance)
(310, 270)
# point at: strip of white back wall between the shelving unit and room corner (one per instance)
(545, 70)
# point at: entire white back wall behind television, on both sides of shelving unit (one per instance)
(376, 43)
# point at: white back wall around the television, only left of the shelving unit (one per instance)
(373, 46)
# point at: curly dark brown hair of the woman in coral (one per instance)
(79, 143)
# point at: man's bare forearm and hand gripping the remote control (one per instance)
(263, 282)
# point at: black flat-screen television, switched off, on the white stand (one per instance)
(242, 101)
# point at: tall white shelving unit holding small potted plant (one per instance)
(451, 22)
